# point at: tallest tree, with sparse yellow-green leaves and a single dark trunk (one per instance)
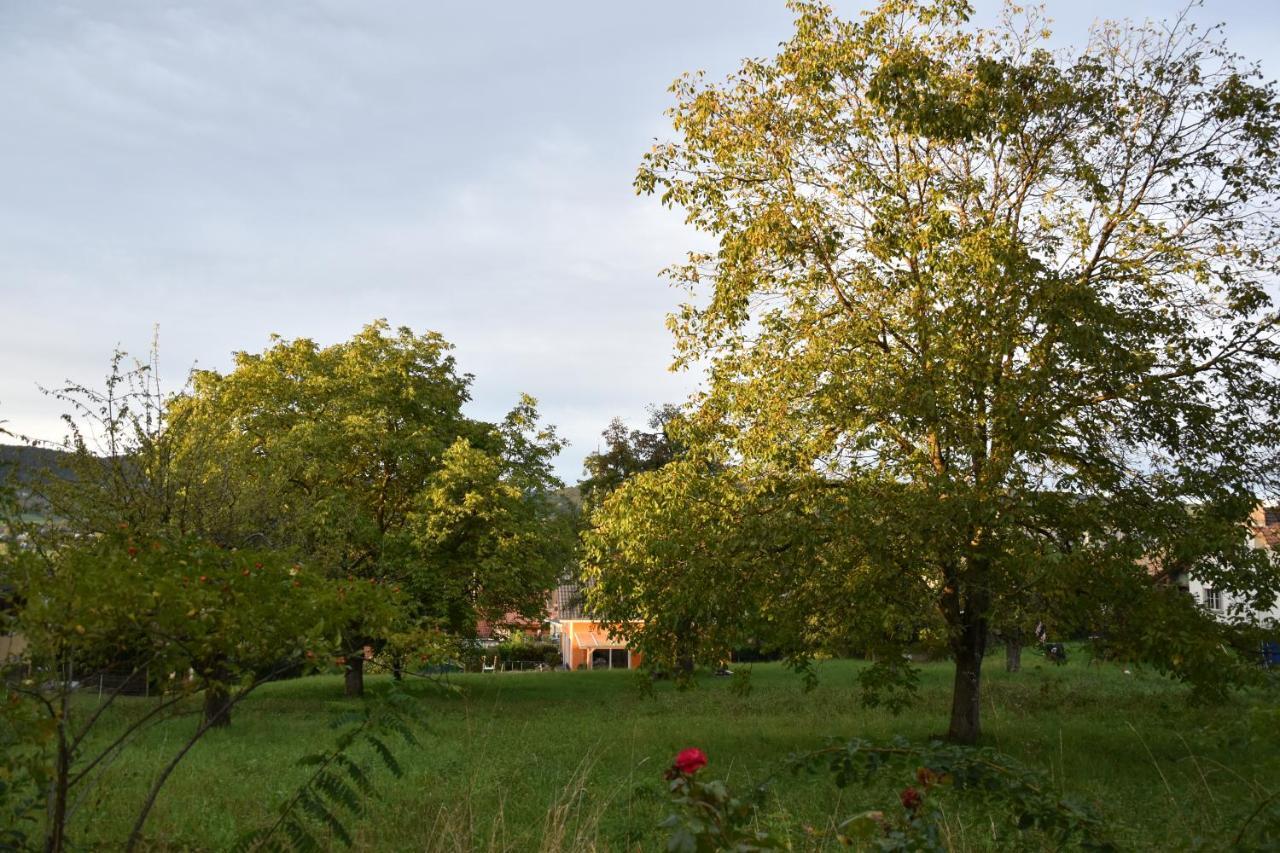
(1003, 299)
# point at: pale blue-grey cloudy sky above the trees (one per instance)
(223, 171)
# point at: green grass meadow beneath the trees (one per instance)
(575, 760)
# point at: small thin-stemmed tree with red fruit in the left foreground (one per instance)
(152, 612)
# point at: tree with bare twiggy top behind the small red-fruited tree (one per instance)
(150, 464)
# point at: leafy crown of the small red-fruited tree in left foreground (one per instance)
(181, 605)
